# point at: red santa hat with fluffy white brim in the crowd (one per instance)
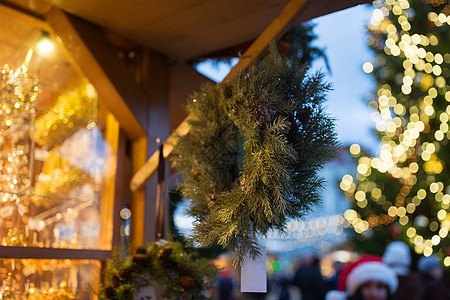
(366, 268)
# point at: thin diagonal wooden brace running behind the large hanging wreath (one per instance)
(275, 29)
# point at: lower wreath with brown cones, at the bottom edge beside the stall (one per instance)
(173, 272)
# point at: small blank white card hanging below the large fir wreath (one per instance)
(254, 274)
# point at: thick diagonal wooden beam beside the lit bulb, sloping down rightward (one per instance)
(92, 53)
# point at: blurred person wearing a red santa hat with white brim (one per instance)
(368, 278)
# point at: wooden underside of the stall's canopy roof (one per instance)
(185, 29)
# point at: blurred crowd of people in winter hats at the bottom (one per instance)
(368, 277)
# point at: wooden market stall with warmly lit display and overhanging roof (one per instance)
(81, 144)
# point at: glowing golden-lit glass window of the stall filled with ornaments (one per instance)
(57, 168)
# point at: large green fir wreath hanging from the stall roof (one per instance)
(251, 158)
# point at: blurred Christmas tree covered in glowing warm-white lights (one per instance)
(403, 191)
